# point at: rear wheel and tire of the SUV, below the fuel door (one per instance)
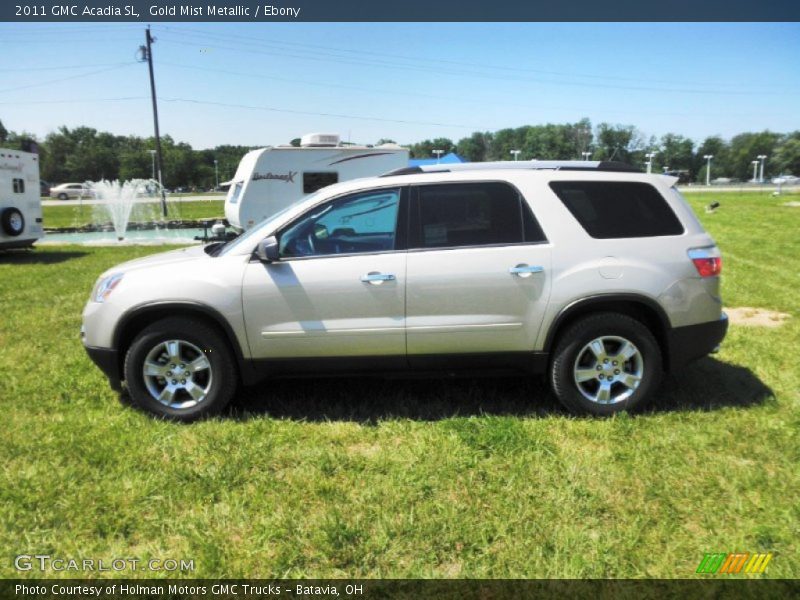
(605, 363)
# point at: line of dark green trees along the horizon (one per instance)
(83, 153)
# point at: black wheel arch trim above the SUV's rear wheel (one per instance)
(643, 309)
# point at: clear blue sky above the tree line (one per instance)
(260, 84)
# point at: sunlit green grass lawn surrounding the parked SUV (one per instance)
(351, 477)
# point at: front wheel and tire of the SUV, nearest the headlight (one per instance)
(190, 367)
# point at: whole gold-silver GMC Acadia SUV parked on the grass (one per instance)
(594, 273)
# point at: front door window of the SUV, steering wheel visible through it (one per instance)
(364, 222)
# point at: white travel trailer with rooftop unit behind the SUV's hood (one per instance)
(272, 178)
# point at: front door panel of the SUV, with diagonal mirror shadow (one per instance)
(320, 307)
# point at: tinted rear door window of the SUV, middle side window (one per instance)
(472, 214)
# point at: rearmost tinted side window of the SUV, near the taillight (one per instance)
(608, 210)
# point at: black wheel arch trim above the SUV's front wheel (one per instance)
(137, 318)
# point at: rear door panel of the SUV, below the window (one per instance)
(467, 300)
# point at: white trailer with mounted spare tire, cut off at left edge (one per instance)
(20, 199)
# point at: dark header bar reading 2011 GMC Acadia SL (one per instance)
(152, 11)
